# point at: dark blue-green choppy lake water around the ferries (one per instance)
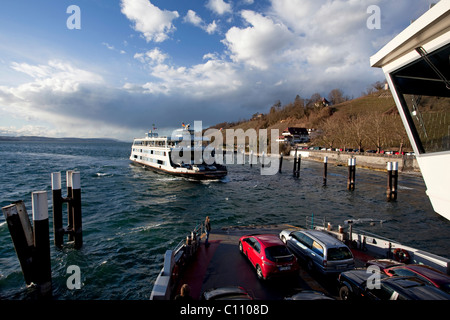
(132, 215)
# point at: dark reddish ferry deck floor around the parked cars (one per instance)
(221, 265)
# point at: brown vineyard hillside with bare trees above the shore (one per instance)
(368, 122)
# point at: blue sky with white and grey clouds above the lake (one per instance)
(116, 68)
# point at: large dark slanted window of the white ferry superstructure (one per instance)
(423, 89)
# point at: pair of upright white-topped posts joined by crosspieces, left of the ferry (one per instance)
(73, 200)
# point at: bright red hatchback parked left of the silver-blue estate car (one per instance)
(268, 254)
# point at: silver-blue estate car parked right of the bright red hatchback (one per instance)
(319, 250)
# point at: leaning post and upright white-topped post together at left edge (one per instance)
(32, 244)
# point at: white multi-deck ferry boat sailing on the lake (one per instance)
(181, 154)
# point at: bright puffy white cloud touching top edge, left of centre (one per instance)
(155, 24)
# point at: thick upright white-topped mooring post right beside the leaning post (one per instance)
(41, 257)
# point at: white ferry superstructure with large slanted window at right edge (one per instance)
(416, 64)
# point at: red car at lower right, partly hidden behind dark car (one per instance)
(429, 274)
